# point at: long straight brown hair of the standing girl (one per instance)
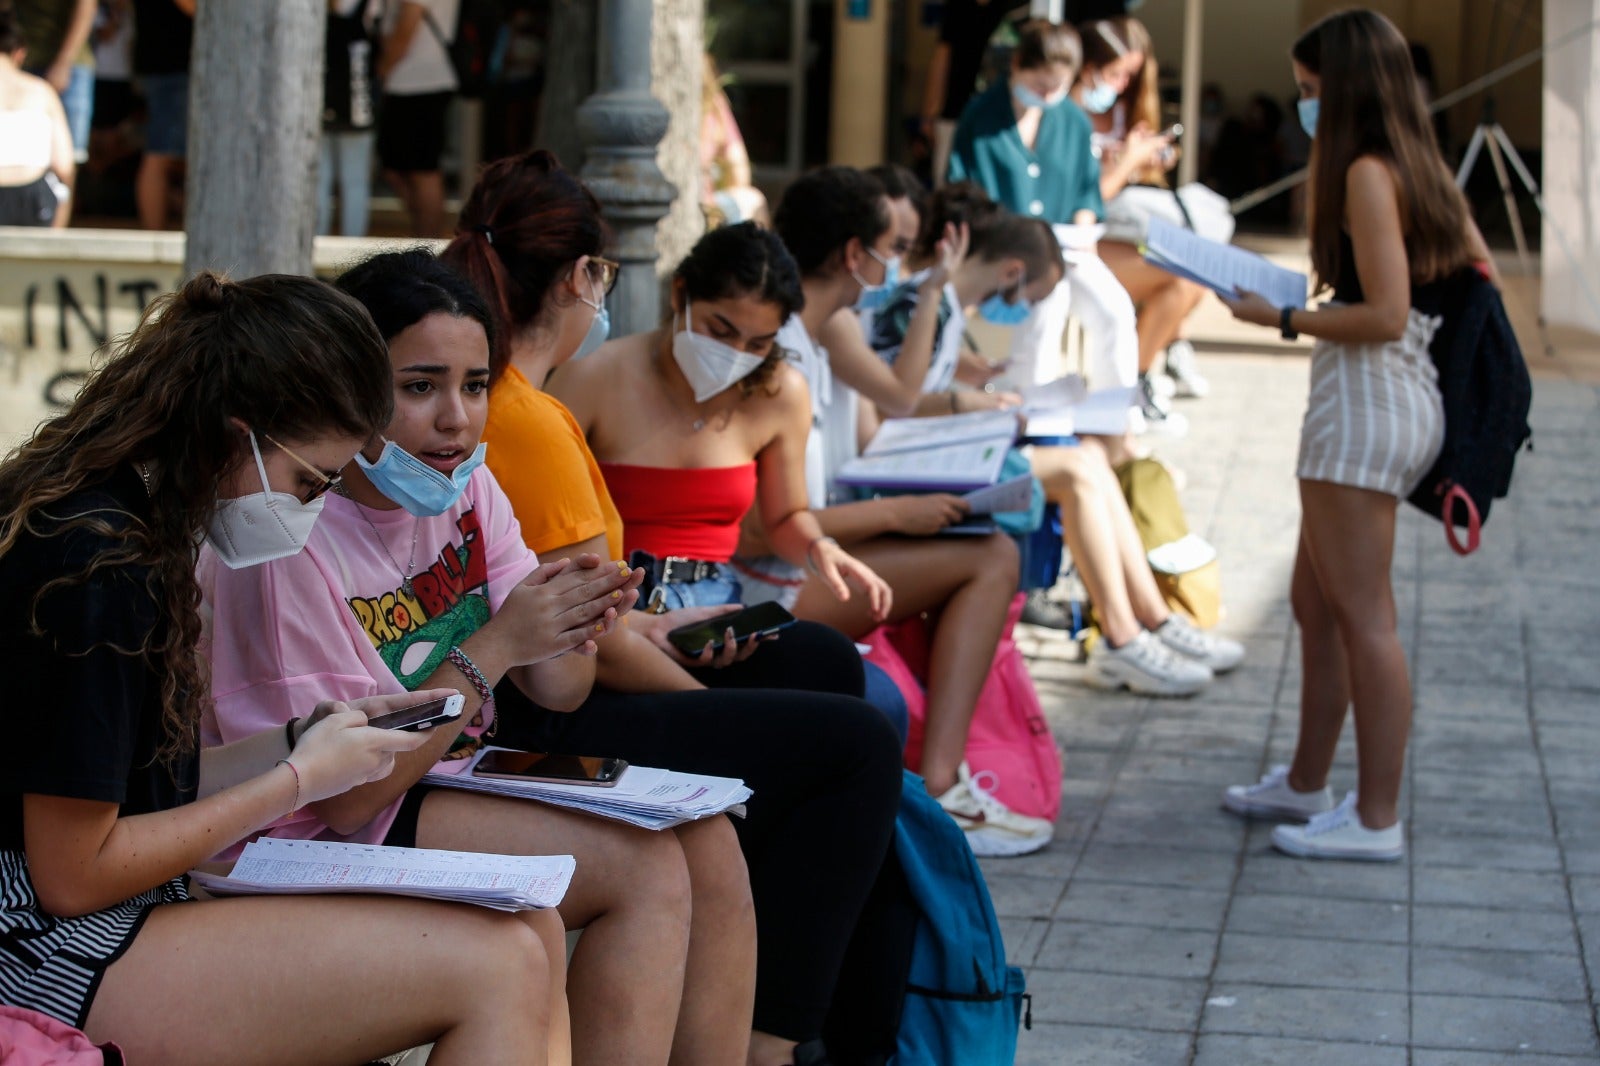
(1372, 105)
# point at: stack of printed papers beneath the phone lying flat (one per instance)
(642, 796)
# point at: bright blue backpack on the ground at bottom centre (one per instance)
(962, 1001)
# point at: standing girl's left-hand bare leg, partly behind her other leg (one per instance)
(1326, 686)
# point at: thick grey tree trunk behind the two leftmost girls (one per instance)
(254, 127)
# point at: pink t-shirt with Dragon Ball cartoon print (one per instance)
(335, 623)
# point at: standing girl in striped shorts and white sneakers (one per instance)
(1386, 228)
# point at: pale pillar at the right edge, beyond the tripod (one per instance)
(1572, 166)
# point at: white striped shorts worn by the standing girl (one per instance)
(1375, 419)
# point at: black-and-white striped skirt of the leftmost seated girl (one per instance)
(55, 966)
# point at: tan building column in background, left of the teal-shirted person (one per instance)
(860, 108)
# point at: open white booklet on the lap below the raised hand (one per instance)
(950, 454)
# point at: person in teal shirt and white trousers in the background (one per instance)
(1028, 146)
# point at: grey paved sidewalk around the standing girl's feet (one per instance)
(1159, 929)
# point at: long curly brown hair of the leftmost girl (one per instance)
(287, 356)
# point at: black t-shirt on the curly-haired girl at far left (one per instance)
(82, 719)
